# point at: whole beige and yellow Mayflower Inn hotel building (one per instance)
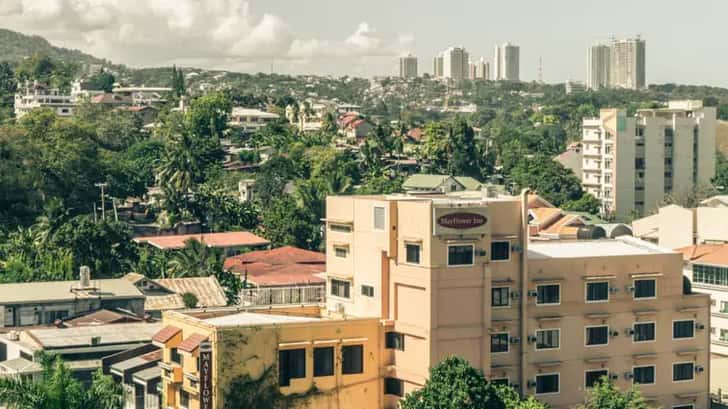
(414, 279)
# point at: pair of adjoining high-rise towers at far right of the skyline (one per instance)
(621, 64)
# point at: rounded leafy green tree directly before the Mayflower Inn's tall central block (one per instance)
(454, 384)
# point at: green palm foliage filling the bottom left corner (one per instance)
(57, 388)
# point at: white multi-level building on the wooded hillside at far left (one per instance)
(36, 95)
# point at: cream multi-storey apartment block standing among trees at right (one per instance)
(631, 163)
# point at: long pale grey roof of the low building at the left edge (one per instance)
(47, 291)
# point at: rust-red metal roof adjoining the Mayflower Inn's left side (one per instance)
(282, 266)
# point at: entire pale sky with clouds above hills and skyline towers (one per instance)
(685, 40)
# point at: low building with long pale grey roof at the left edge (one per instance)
(42, 303)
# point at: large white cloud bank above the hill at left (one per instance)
(212, 33)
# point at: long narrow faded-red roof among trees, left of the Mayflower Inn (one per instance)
(226, 239)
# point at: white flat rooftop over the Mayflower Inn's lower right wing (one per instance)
(621, 246)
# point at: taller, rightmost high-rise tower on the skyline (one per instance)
(627, 64)
